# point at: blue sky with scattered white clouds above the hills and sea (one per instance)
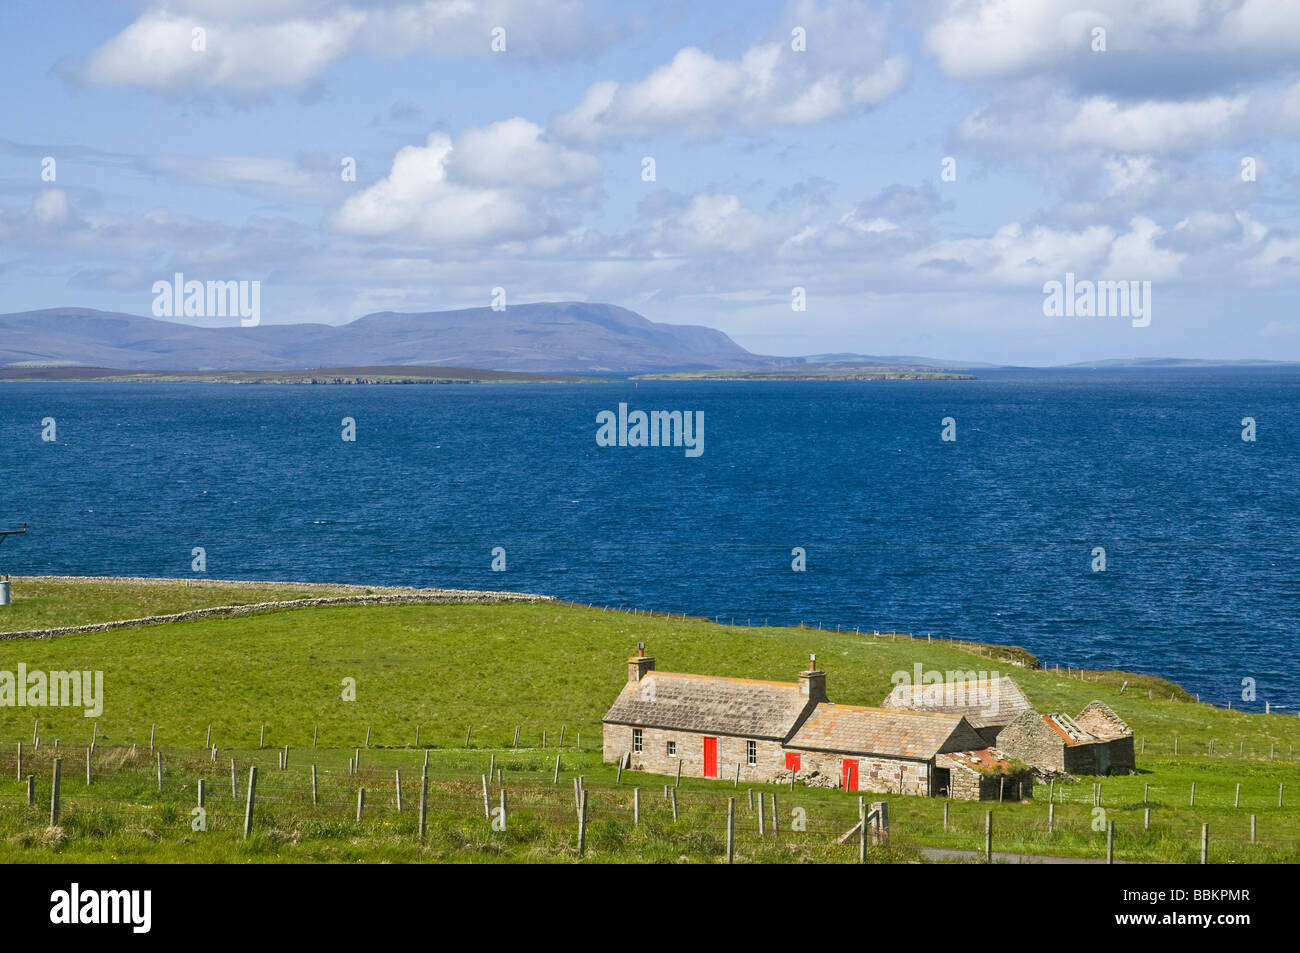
(775, 168)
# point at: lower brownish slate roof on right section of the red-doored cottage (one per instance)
(857, 730)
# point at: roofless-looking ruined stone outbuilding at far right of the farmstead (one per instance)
(1097, 743)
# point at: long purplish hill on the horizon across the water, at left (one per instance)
(565, 337)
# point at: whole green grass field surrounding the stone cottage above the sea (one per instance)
(487, 670)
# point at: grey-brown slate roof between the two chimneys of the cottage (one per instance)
(712, 705)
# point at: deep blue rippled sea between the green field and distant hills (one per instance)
(989, 538)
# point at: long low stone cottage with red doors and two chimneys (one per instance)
(761, 731)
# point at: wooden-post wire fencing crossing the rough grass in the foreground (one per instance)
(526, 803)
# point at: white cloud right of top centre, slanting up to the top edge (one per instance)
(697, 96)
